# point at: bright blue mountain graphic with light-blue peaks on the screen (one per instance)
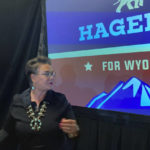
(130, 96)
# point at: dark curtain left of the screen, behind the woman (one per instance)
(22, 28)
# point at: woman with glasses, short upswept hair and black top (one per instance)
(40, 118)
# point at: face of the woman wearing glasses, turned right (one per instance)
(44, 78)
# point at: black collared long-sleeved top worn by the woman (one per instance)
(17, 126)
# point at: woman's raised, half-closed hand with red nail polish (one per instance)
(70, 127)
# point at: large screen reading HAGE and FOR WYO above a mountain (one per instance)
(101, 53)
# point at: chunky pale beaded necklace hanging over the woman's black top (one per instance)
(35, 122)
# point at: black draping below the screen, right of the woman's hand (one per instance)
(109, 130)
